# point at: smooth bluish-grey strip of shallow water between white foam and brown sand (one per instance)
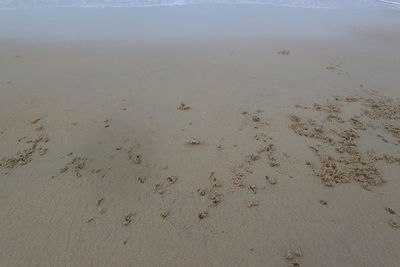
(187, 22)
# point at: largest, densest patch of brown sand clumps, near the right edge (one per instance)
(338, 150)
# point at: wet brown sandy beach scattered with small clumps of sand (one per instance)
(220, 151)
